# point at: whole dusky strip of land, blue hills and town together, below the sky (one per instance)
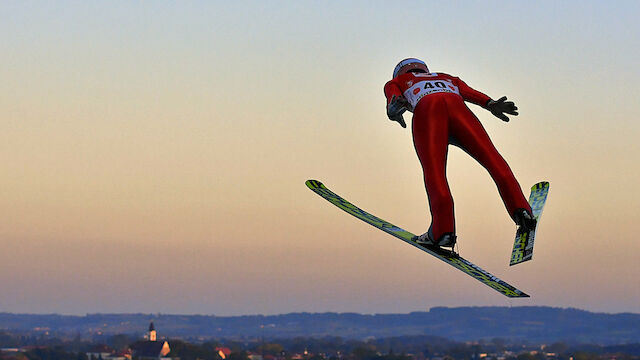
(465, 334)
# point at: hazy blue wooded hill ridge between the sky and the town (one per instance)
(531, 323)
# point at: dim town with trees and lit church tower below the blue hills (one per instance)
(42, 345)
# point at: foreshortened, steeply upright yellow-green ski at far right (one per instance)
(523, 244)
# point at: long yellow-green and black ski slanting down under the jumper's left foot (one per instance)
(448, 257)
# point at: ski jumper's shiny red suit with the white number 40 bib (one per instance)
(440, 118)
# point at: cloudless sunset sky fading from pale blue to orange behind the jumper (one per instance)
(153, 154)
